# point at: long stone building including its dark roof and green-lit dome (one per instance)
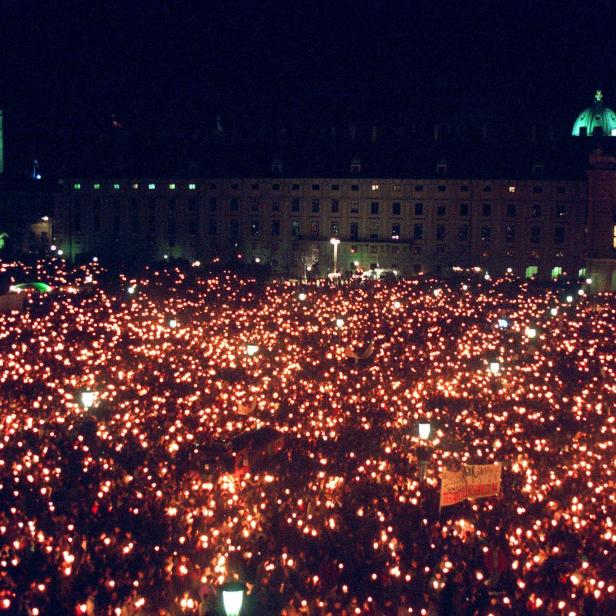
(427, 207)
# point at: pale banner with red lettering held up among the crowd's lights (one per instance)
(471, 481)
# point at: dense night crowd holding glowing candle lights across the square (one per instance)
(135, 505)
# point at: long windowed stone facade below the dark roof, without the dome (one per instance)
(411, 225)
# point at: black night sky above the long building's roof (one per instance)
(184, 62)
